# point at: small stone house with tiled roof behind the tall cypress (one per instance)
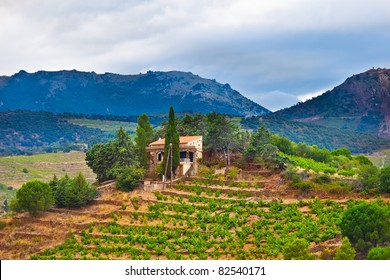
(191, 148)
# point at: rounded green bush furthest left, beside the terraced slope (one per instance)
(34, 197)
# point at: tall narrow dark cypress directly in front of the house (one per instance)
(171, 137)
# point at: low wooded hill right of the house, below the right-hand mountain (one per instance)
(323, 137)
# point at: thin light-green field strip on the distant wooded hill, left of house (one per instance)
(111, 127)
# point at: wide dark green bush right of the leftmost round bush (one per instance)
(70, 192)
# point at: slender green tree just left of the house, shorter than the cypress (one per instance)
(143, 138)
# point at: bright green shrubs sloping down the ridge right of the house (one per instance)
(274, 151)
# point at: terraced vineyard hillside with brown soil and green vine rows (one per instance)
(194, 219)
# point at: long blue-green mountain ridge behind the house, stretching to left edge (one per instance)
(123, 95)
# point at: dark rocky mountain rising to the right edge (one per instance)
(361, 104)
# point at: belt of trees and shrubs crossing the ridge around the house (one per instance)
(127, 161)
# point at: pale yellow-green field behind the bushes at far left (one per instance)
(17, 170)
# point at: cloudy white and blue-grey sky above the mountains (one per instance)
(274, 52)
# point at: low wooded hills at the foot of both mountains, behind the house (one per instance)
(28, 132)
